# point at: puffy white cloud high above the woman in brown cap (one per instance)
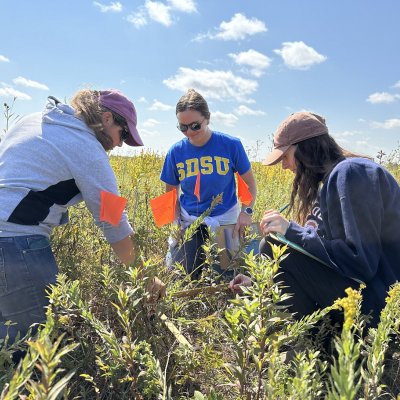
(298, 55)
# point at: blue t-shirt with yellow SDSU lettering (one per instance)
(217, 161)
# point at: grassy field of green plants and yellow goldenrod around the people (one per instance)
(102, 340)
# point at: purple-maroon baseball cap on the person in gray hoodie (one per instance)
(115, 101)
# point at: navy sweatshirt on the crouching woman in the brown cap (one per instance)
(359, 230)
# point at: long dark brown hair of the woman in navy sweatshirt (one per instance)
(315, 158)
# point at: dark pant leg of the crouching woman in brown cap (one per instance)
(312, 284)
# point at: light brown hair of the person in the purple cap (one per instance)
(88, 108)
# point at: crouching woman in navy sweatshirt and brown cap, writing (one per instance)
(349, 213)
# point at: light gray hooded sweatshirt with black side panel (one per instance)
(49, 162)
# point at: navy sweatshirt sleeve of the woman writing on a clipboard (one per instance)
(352, 213)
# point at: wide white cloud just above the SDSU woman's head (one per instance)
(218, 85)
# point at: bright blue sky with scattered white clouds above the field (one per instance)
(255, 62)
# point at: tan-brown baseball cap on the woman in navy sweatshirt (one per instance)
(294, 129)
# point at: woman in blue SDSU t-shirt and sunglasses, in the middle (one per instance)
(211, 159)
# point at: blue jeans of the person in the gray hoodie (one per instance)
(27, 267)
